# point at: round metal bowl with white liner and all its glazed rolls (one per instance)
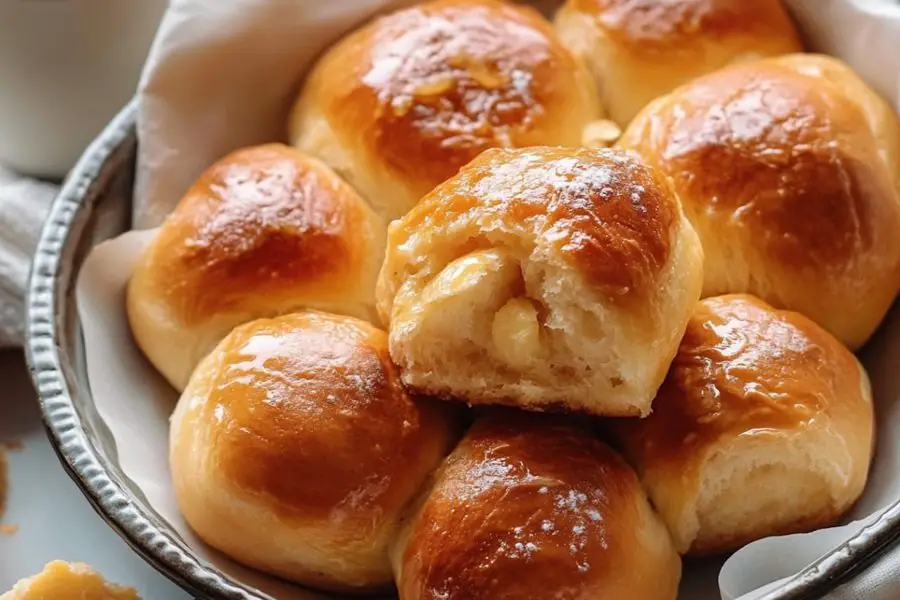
(477, 299)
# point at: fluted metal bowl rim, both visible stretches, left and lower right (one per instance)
(53, 377)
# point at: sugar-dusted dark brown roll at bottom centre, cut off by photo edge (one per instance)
(534, 508)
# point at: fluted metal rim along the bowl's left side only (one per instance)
(52, 373)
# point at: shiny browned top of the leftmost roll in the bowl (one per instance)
(261, 218)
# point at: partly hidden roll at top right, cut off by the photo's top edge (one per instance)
(640, 49)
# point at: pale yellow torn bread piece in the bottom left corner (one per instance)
(68, 581)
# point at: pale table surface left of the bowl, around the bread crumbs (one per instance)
(54, 520)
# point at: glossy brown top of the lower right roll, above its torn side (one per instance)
(743, 369)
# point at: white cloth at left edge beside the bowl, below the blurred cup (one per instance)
(23, 205)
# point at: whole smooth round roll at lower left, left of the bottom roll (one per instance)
(295, 447)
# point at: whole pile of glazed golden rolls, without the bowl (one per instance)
(449, 341)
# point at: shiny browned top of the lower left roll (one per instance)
(309, 416)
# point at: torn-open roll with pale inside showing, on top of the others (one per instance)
(545, 278)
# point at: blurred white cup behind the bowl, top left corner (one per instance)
(66, 67)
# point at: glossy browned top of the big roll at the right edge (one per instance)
(763, 149)
